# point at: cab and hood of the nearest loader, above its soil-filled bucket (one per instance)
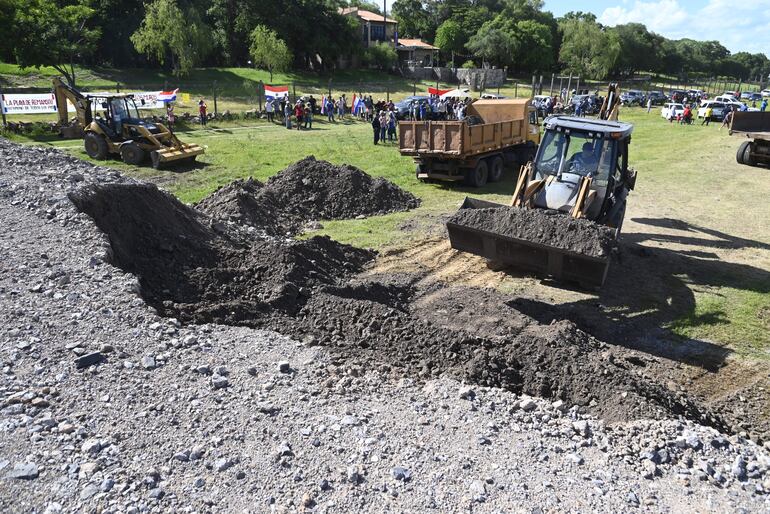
(578, 151)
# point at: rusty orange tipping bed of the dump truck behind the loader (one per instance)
(504, 123)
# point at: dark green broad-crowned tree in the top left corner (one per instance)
(48, 34)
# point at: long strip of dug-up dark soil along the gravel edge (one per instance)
(199, 270)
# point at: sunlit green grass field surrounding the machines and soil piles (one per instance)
(703, 212)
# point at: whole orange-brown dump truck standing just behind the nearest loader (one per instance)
(476, 149)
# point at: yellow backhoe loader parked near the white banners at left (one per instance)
(110, 124)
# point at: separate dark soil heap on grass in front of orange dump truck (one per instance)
(307, 190)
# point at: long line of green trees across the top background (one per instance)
(312, 34)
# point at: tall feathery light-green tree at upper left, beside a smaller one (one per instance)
(170, 35)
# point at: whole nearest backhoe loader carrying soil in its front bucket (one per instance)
(580, 180)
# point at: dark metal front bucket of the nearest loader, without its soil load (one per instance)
(563, 265)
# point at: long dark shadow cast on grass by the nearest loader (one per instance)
(650, 288)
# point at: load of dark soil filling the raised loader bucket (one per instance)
(541, 226)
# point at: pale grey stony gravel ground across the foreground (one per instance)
(108, 407)
